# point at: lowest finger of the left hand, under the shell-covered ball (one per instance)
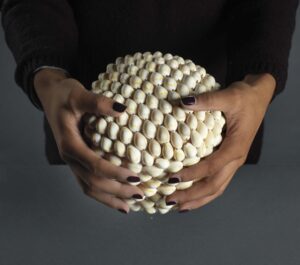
(109, 200)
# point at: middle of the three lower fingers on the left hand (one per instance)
(113, 187)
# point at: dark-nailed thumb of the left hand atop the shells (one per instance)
(90, 102)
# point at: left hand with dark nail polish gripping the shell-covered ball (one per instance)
(65, 101)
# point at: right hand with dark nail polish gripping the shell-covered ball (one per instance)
(244, 104)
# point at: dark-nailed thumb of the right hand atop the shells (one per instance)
(212, 100)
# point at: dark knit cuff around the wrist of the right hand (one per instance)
(237, 72)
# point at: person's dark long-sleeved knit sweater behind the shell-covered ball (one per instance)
(230, 38)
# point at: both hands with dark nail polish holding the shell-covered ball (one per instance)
(65, 101)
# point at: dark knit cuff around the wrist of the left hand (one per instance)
(25, 72)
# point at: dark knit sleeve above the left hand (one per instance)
(39, 32)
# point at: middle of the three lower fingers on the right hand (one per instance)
(206, 187)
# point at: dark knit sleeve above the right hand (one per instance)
(259, 38)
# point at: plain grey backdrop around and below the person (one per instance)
(45, 219)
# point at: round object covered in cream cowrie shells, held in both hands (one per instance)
(155, 135)
